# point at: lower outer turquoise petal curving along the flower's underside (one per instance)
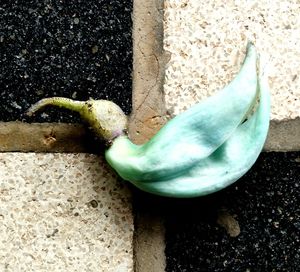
(226, 164)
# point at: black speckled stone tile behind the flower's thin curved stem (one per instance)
(77, 49)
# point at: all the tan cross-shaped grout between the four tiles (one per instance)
(149, 114)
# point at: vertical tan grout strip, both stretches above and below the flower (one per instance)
(147, 117)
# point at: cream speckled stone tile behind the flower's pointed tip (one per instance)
(207, 40)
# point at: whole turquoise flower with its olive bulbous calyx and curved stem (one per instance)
(198, 152)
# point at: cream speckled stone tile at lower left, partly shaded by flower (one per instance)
(63, 212)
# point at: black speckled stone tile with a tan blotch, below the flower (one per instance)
(265, 203)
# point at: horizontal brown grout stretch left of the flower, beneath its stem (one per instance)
(41, 137)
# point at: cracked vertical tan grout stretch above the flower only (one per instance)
(148, 113)
